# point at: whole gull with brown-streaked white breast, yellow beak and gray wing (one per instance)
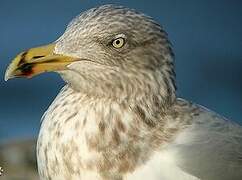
(118, 116)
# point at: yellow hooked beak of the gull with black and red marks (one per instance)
(37, 60)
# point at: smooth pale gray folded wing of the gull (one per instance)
(210, 148)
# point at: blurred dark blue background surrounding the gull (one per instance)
(207, 41)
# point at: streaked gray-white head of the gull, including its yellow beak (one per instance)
(106, 51)
